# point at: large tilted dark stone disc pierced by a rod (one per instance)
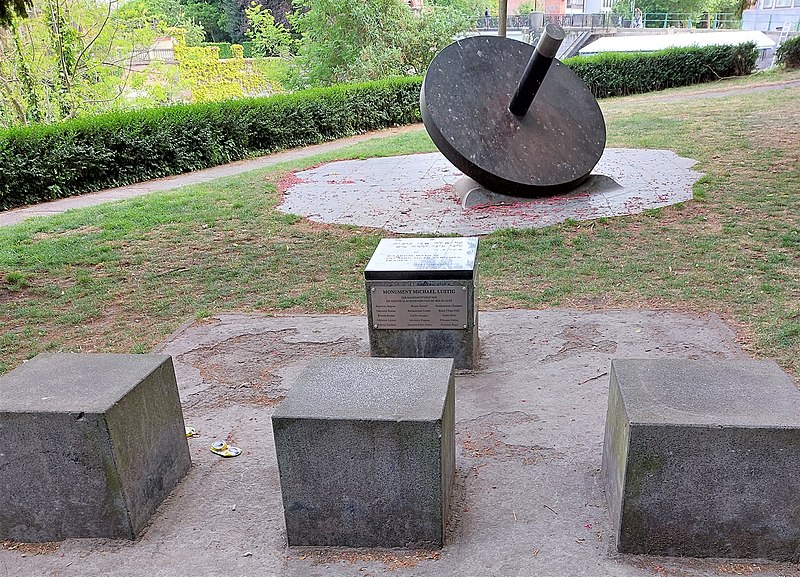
(464, 104)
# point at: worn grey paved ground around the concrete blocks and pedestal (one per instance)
(529, 432)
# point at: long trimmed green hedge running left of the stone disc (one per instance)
(53, 161)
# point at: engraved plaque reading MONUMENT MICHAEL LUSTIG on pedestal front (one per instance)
(419, 307)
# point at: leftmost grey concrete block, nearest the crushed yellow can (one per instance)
(92, 444)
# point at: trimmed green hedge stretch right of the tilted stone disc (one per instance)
(619, 74)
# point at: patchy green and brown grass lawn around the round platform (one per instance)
(122, 276)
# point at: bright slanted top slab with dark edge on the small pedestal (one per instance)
(423, 259)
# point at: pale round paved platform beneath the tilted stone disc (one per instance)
(415, 194)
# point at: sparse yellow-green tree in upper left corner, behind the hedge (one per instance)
(72, 57)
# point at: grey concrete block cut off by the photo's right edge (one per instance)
(701, 458)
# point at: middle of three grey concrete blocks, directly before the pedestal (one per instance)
(366, 452)
